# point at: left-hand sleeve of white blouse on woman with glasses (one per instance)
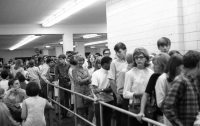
(127, 86)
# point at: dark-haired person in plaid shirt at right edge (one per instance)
(181, 104)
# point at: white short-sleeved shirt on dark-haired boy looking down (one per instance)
(100, 79)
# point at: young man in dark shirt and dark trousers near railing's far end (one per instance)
(61, 74)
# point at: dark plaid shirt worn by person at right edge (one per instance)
(181, 103)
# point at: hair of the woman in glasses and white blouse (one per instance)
(139, 51)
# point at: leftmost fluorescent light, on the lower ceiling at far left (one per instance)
(24, 41)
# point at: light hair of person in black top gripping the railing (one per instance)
(162, 60)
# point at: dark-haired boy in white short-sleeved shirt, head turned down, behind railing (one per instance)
(100, 84)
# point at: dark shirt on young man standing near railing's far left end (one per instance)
(62, 71)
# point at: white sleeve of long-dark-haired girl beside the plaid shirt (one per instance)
(160, 90)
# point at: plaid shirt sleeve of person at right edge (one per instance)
(170, 103)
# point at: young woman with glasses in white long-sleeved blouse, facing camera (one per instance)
(136, 80)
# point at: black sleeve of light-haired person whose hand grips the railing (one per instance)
(151, 84)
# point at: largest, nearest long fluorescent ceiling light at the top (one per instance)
(71, 7)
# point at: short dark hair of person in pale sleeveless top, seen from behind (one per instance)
(32, 89)
